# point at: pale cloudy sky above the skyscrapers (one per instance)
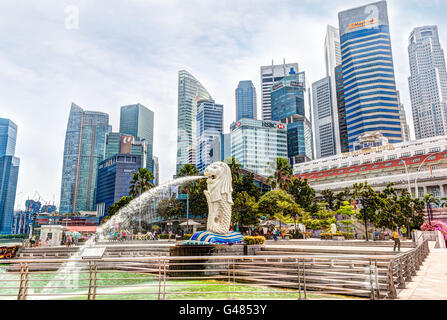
(104, 54)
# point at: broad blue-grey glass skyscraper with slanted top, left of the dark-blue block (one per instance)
(85, 143)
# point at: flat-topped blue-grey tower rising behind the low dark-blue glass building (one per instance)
(138, 121)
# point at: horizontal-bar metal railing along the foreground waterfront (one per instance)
(324, 274)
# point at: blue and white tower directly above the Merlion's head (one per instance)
(209, 126)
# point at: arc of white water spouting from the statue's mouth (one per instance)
(67, 275)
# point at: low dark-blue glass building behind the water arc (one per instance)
(114, 175)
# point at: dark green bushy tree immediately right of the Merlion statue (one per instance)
(244, 212)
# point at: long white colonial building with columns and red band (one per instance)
(416, 165)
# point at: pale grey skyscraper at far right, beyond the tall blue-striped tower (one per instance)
(428, 82)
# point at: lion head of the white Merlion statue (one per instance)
(219, 180)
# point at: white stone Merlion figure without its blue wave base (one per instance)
(219, 197)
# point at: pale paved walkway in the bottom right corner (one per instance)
(430, 283)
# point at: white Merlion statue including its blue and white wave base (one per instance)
(220, 202)
